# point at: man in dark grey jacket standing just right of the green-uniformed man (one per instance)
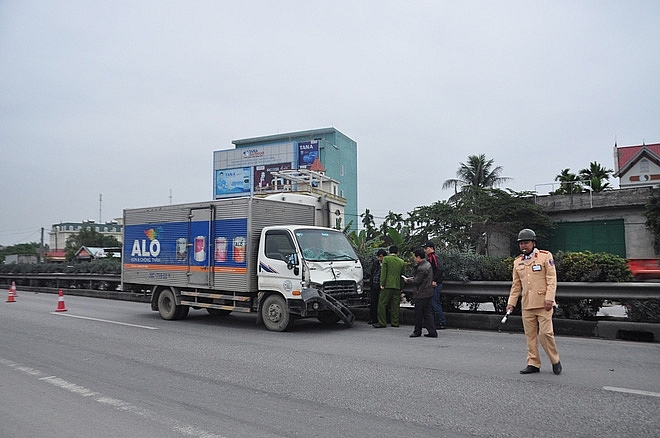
(423, 280)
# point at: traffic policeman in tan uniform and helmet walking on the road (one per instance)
(535, 279)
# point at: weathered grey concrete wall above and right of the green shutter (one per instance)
(627, 204)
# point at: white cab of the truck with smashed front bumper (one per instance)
(314, 269)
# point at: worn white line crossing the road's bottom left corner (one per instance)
(175, 425)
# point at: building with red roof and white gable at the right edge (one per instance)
(637, 166)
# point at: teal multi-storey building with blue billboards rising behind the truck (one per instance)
(318, 162)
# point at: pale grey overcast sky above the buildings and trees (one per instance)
(129, 99)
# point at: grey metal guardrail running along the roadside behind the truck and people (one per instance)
(605, 291)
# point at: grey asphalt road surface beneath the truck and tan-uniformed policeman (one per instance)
(115, 369)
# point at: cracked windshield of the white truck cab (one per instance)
(324, 245)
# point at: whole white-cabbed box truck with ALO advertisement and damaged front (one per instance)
(241, 255)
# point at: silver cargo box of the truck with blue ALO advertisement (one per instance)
(206, 245)
